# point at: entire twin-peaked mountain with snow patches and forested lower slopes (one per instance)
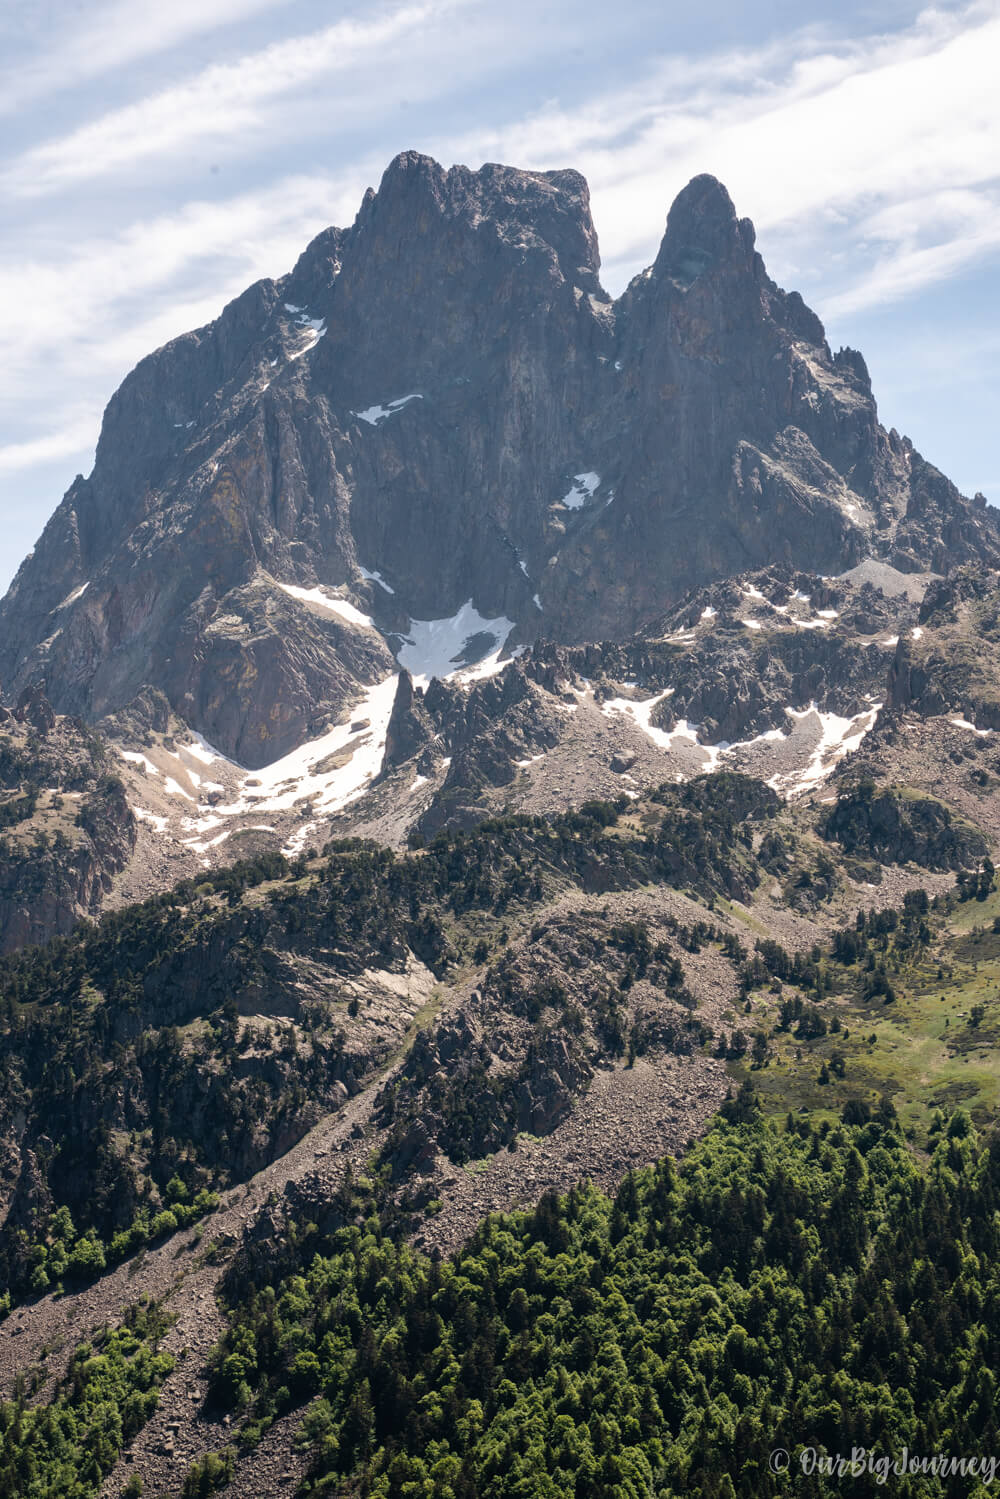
(497, 767)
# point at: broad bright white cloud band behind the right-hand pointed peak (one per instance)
(846, 145)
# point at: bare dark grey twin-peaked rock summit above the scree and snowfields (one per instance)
(445, 395)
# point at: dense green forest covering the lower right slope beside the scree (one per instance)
(786, 1287)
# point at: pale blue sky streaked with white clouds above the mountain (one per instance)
(155, 160)
